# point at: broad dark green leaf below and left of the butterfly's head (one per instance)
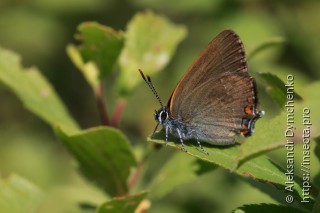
(104, 156)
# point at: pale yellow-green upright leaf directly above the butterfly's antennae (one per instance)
(150, 43)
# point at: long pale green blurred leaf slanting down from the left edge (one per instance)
(34, 91)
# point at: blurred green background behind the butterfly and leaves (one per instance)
(39, 30)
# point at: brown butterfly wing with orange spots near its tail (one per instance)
(216, 98)
